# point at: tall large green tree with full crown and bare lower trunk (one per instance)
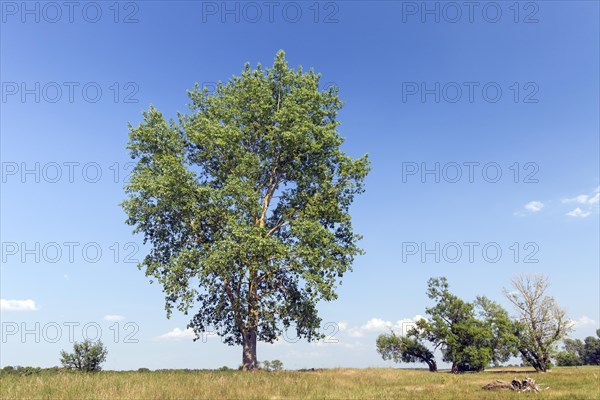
(244, 201)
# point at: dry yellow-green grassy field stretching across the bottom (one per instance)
(372, 383)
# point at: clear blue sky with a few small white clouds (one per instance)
(497, 89)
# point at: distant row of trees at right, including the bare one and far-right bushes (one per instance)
(474, 335)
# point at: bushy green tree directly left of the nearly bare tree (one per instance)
(468, 342)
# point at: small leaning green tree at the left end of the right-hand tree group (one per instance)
(405, 349)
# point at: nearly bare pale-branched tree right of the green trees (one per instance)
(541, 322)
